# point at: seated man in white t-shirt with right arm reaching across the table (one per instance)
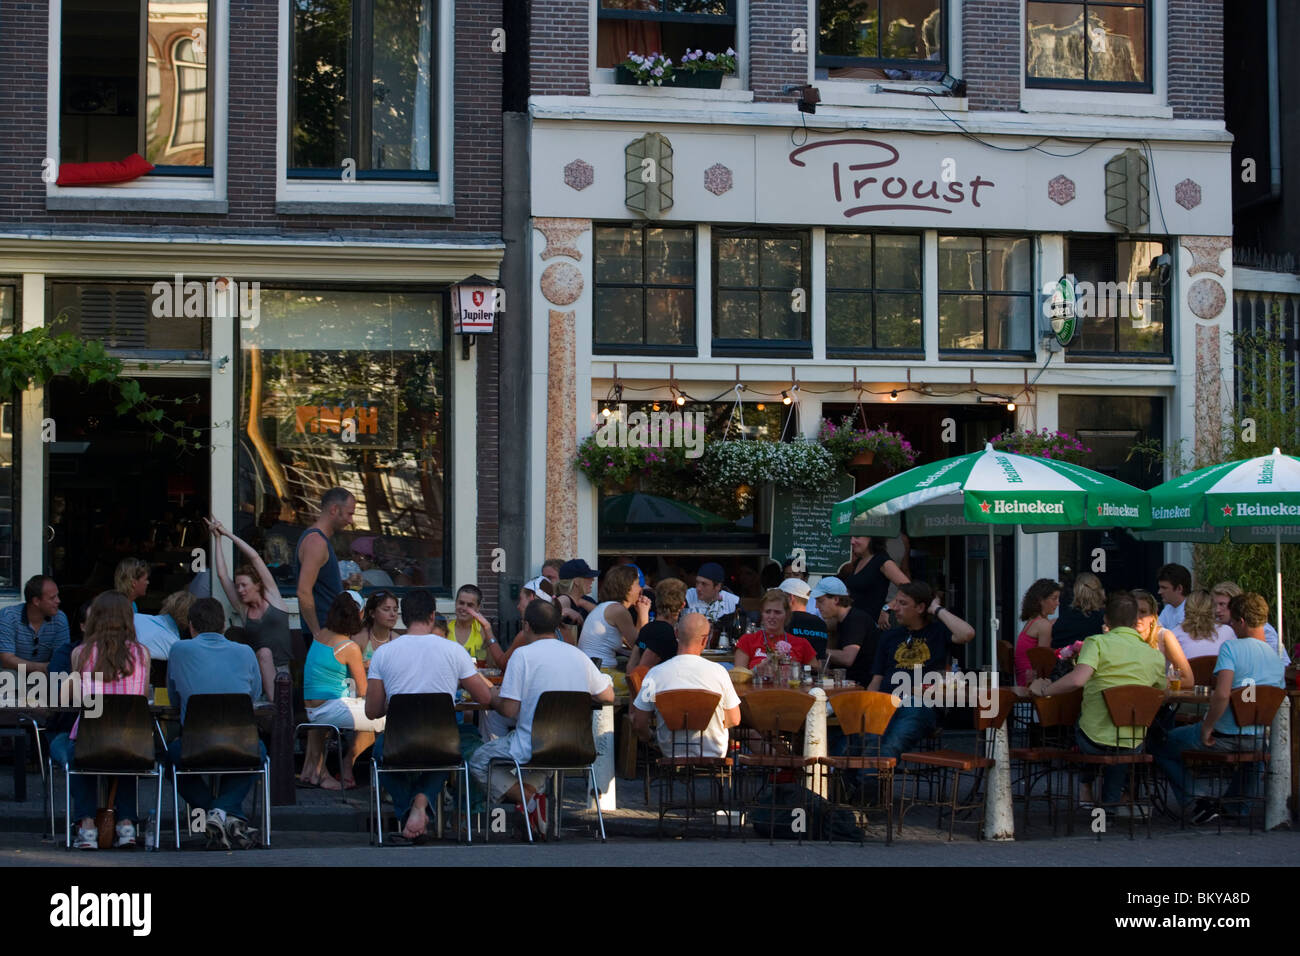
(545, 665)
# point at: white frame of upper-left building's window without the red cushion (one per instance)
(322, 197)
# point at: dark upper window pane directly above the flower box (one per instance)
(662, 27)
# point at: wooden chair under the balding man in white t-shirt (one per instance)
(690, 713)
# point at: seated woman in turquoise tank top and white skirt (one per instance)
(332, 659)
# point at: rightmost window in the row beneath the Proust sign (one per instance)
(1123, 299)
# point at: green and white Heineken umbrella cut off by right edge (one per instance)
(1255, 500)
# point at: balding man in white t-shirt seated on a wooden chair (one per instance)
(690, 672)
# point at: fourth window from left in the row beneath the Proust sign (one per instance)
(985, 295)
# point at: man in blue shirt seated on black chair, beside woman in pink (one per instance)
(210, 664)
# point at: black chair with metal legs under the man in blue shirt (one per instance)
(220, 738)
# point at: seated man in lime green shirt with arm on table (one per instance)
(1113, 659)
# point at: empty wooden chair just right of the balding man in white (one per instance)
(775, 719)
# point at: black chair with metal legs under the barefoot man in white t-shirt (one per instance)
(422, 736)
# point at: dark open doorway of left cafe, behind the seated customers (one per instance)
(115, 491)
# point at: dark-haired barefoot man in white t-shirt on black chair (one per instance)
(421, 663)
